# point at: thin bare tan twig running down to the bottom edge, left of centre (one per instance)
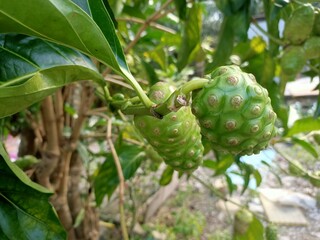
(121, 181)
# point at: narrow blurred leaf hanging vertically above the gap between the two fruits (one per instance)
(191, 37)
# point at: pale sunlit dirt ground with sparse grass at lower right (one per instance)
(219, 214)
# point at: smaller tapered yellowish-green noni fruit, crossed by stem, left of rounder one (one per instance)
(176, 137)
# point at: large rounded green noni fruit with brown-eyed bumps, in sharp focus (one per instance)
(235, 112)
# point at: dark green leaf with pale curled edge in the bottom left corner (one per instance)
(25, 211)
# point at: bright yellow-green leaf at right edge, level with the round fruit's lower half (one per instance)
(304, 125)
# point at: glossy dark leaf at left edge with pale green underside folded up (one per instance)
(31, 69)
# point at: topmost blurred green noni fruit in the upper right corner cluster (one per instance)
(300, 24)
